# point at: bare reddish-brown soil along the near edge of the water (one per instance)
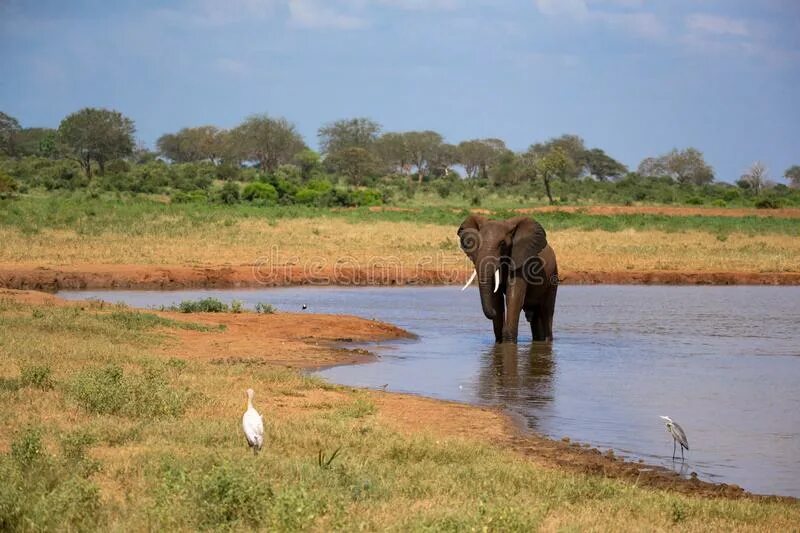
(320, 340)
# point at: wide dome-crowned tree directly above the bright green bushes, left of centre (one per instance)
(270, 141)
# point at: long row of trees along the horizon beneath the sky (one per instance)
(357, 149)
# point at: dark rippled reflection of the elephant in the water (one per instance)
(513, 374)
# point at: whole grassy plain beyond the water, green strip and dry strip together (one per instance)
(71, 230)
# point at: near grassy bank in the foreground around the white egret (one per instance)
(102, 428)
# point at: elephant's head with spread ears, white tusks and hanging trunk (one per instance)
(499, 247)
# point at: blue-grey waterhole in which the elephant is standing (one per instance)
(724, 362)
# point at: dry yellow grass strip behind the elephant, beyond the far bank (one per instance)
(327, 242)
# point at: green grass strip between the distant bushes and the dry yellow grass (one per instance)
(141, 216)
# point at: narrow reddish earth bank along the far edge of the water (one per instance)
(173, 277)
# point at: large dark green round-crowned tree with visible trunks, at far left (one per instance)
(98, 135)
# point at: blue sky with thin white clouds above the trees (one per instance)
(636, 78)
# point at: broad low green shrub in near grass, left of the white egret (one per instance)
(109, 390)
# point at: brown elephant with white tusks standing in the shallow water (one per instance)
(516, 271)
